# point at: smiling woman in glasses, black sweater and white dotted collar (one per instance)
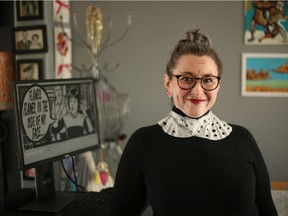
(191, 162)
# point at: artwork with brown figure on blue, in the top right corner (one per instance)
(266, 22)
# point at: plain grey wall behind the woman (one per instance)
(156, 27)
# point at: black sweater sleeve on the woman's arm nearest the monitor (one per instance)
(129, 194)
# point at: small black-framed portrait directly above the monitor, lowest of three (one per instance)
(30, 69)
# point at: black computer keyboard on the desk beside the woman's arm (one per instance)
(88, 204)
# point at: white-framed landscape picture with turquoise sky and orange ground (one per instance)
(265, 74)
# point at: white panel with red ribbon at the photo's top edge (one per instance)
(61, 11)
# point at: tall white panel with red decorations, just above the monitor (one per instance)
(63, 52)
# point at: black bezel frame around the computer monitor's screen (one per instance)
(17, 107)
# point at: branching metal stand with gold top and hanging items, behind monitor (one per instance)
(113, 106)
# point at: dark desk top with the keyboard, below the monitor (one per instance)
(64, 204)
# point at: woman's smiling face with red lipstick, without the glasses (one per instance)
(196, 101)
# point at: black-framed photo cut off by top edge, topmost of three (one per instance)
(29, 10)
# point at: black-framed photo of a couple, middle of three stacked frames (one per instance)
(30, 39)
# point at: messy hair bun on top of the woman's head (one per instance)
(196, 36)
